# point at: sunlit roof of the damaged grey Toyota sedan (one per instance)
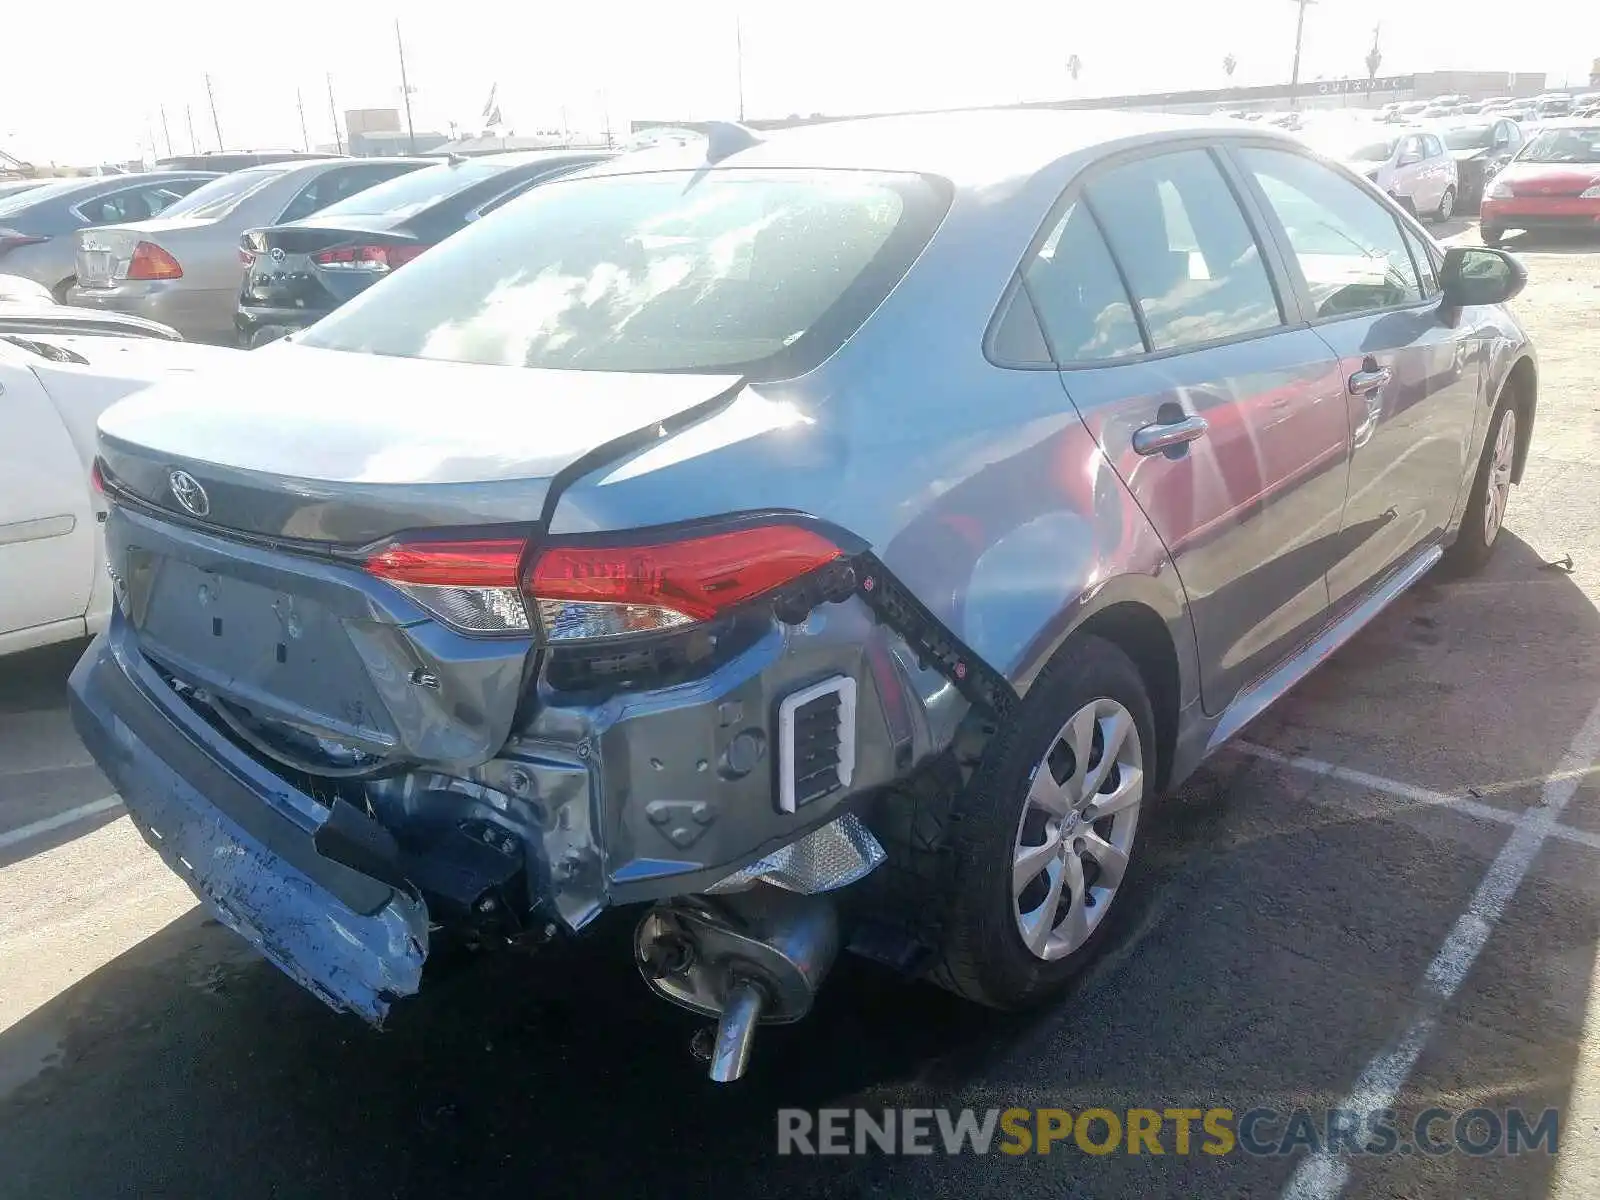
(967, 148)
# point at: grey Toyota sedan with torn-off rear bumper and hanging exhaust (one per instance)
(823, 543)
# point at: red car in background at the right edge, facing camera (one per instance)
(1554, 183)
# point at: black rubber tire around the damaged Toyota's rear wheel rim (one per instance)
(982, 954)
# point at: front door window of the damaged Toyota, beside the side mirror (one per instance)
(1348, 244)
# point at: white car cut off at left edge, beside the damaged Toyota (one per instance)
(58, 370)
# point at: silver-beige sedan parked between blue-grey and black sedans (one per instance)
(185, 268)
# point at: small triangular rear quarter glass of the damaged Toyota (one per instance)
(1079, 295)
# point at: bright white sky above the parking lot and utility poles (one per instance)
(86, 81)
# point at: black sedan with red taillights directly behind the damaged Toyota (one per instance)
(303, 270)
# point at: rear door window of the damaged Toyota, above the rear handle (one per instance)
(1186, 250)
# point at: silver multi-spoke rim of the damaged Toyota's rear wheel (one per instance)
(1078, 826)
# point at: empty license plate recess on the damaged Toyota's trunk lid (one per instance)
(279, 655)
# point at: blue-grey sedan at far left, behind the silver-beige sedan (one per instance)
(38, 223)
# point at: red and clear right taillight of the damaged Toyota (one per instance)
(582, 593)
